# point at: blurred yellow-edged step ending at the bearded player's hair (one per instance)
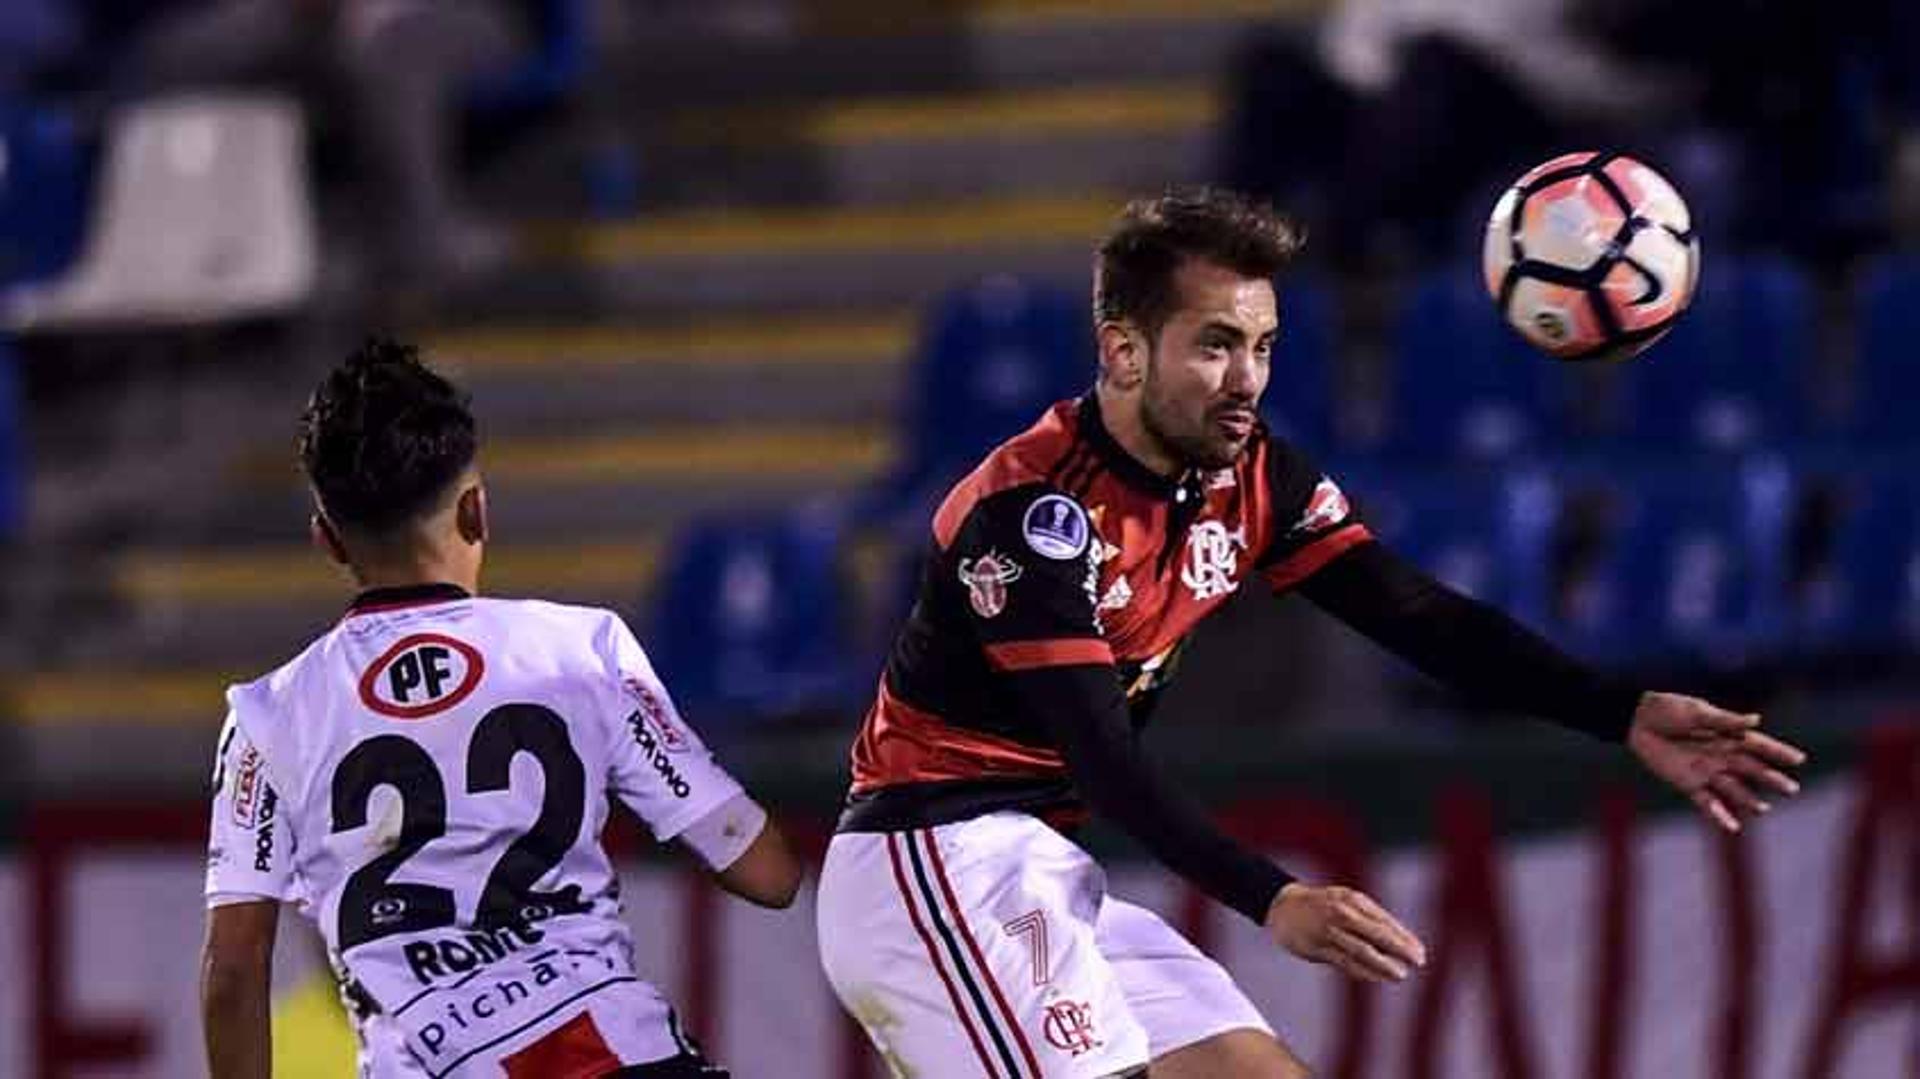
(702, 264)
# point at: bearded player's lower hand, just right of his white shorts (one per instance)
(1345, 930)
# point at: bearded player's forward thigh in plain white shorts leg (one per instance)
(1197, 1020)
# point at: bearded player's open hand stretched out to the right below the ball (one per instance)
(1717, 759)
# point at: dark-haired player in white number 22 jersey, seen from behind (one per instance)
(431, 777)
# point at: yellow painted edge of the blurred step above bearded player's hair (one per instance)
(999, 114)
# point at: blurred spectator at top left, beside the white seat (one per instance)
(391, 70)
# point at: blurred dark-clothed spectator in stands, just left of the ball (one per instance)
(1395, 110)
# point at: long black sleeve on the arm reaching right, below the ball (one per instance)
(1470, 646)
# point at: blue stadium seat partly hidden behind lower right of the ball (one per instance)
(1729, 375)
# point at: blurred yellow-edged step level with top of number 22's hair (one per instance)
(780, 370)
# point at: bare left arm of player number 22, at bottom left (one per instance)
(235, 990)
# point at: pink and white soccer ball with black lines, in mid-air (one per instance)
(1591, 256)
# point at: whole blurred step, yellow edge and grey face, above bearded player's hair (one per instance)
(878, 151)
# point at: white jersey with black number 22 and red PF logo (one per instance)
(429, 782)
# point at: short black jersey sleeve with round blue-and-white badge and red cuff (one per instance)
(1022, 565)
